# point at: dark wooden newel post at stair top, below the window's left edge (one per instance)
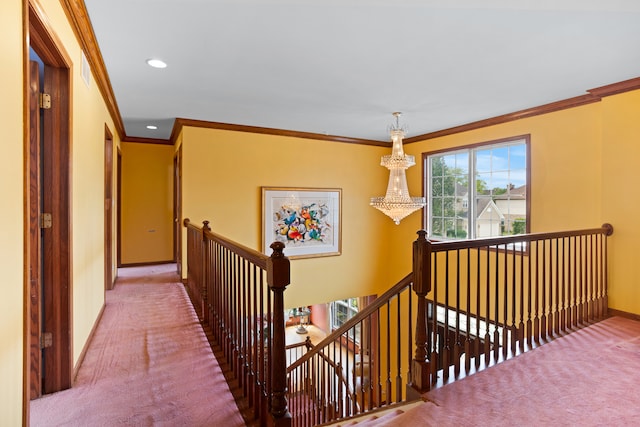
(421, 286)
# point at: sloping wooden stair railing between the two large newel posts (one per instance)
(359, 367)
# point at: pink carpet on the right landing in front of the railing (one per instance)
(590, 377)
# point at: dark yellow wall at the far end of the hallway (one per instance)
(147, 203)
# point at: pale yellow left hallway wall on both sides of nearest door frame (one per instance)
(88, 116)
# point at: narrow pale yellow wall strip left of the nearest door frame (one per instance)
(11, 215)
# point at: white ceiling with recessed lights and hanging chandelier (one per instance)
(341, 67)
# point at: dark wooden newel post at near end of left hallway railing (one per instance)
(278, 278)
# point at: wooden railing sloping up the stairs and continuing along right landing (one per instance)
(477, 302)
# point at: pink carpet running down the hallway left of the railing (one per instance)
(149, 363)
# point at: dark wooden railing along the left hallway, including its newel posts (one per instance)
(238, 295)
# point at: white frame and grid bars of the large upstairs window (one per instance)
(470, 151)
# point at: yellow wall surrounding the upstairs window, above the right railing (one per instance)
(583, 167)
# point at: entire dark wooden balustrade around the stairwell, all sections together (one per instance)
(465, 306)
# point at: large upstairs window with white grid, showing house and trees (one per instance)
(478, 191)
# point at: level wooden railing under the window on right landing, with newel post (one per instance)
(497, 297)
